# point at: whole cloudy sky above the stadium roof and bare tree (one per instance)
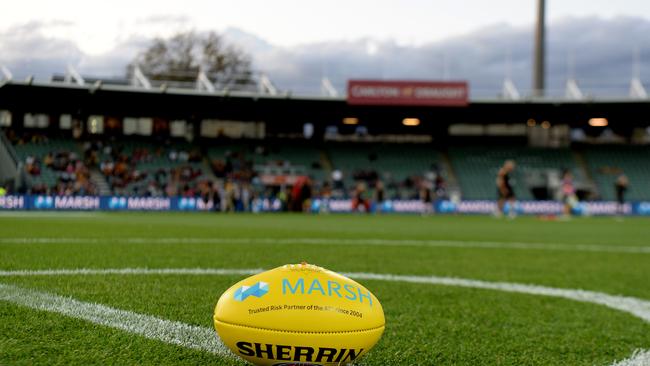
(297, 42)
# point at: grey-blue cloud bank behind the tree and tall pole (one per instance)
(601, 50)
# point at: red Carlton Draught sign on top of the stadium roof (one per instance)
(414, 93)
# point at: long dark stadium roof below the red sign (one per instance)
(287, 111)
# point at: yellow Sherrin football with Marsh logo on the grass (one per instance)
(299, 314)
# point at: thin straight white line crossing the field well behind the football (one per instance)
(336, 241)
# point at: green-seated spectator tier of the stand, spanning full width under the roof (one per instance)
(142, 167)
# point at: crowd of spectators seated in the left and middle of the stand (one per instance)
(174, 173)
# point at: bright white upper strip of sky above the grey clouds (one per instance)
(98, 25)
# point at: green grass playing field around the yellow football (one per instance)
(427, 324)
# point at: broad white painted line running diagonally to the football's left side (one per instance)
(172, 332)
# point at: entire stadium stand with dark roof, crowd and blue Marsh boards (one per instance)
(334, 143)
